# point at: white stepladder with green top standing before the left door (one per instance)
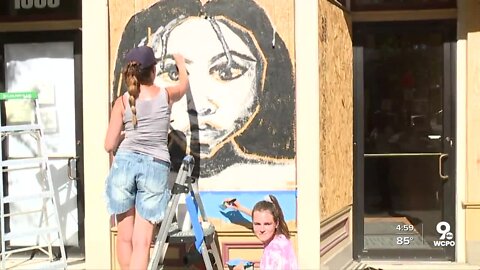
(29, 217)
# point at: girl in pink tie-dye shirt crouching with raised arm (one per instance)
(271, 229)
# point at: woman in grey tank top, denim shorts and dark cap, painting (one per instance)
(137, 185)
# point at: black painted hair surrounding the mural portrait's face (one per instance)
(269, 137)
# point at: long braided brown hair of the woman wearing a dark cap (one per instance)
(134, 76)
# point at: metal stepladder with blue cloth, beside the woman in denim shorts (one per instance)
(198, 232)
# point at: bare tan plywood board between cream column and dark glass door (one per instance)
(336, 108)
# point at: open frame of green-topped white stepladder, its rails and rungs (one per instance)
(44, 232)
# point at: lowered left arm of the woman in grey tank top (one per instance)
(115, 126)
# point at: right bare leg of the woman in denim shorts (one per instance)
(142, 239)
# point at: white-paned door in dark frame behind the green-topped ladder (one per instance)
(49, 62)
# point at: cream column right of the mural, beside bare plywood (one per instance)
(308, 133)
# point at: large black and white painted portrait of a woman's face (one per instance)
(238, 117)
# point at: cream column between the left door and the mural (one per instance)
(95, 119)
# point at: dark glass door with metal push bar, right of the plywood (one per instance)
(404, 165)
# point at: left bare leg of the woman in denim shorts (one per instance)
(125, 223)
